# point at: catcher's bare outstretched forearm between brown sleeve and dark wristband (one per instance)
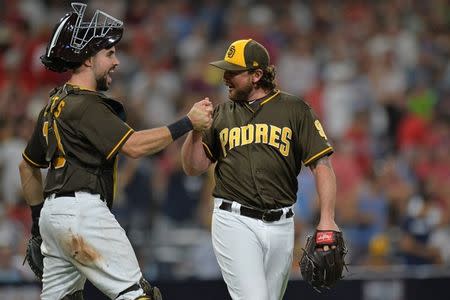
(146, 142)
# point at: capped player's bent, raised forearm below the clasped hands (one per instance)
(193, 156)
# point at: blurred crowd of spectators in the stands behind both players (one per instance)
(377, 73)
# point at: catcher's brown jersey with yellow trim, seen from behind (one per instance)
(90, 129)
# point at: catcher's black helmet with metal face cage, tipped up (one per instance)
(73, 40)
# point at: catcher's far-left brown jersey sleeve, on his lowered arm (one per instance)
(36, 148)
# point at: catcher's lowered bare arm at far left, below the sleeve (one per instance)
(31, 180)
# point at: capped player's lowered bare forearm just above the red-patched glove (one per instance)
(326, 190)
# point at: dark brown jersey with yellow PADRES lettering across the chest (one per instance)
(260, 150)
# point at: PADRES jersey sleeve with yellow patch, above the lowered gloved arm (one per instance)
(313, 140)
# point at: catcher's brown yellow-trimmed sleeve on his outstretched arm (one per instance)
(104, 129)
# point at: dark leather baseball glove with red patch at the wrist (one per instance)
(322, 261)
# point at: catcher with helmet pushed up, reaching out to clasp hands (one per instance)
(78, 136)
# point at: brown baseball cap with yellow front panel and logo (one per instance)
(243, 55)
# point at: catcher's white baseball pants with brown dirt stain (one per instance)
(82, 239)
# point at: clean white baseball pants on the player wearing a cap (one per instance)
(255, 257)
